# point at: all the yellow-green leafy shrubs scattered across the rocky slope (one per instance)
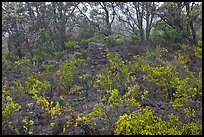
(117, 79)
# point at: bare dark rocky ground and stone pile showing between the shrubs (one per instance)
(84, 100)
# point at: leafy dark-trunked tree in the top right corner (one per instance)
(179, 15)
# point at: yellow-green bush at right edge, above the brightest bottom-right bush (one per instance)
(169, 77)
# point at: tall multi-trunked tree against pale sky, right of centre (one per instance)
(135, 15)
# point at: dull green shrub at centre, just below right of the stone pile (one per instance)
(115, 76)
